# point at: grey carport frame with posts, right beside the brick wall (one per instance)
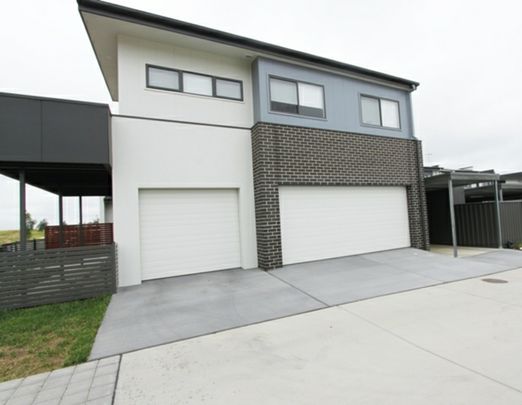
(449, 180)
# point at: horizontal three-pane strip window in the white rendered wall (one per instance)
(193, 83)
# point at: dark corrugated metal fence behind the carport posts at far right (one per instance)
(476, 223)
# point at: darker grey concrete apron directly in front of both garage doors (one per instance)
(174, 309)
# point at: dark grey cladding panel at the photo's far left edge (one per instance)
(20, 134)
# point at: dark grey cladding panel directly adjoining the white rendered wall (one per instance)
(74, 133)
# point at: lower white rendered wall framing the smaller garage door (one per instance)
(156, 154)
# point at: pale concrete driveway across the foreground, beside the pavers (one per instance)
(455, 343)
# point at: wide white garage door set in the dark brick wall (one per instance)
(323, 222)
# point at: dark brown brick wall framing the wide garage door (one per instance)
(288, 155)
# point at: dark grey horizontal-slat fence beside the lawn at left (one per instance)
(30, 278)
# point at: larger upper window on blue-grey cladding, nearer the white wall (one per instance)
(293, 97)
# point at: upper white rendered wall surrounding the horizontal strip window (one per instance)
(137, 100)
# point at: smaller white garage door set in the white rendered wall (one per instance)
(185, 231)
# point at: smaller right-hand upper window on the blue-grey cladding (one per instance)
(380, 112)
